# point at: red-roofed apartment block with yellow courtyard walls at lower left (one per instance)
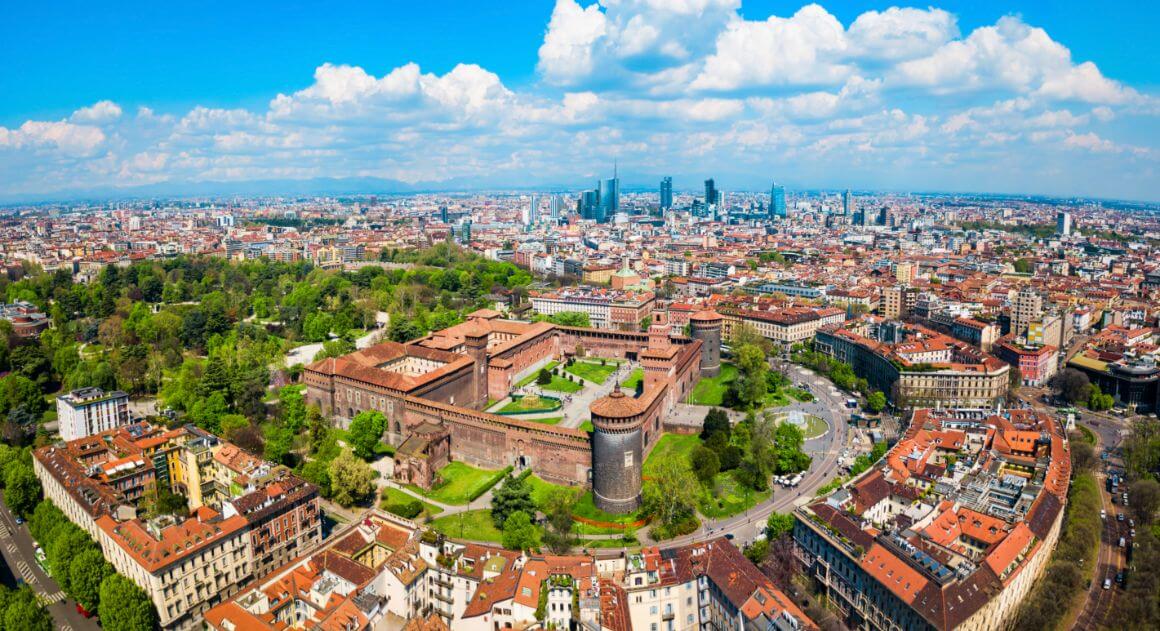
(246, 517)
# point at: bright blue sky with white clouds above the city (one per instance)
(1057, 98)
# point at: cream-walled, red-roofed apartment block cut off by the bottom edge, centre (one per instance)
(385, 570)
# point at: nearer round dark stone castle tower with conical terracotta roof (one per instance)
(617, 453)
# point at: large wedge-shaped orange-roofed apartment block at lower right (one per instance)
(952, 532)
